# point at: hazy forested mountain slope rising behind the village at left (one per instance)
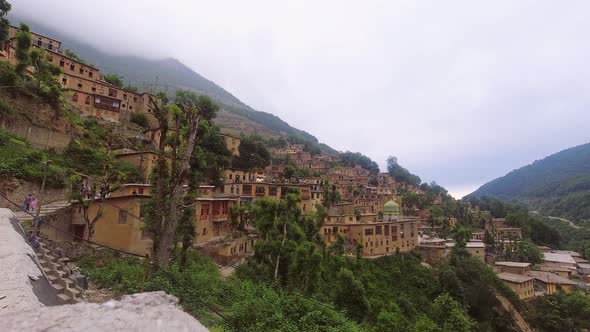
(169, 75)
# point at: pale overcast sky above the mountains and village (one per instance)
(460, 91)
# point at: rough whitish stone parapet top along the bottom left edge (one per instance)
(154, 311)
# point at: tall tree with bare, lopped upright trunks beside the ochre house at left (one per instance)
(169, 199)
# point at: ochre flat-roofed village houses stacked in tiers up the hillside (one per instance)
(362, 209)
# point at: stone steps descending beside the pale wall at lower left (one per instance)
(59, 275)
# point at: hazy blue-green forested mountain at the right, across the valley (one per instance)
(557, 185)
